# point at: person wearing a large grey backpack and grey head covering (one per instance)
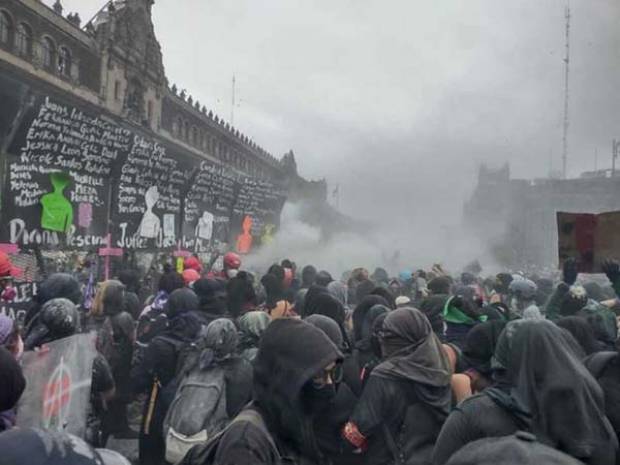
(212, 389)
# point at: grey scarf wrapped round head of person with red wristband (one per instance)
(413, 353)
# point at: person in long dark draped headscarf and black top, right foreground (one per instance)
(544, 389)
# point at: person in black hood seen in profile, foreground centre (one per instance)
(292, 382)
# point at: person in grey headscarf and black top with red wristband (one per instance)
(407, 397)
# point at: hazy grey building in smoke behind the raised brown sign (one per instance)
(517, 217)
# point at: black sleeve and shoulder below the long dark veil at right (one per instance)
(475, 418)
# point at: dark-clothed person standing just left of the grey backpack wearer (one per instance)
(153, 373)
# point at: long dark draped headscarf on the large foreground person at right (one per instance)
(549, 383)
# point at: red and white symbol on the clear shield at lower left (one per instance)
(57, 397)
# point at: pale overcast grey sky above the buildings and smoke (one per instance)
(401, 99)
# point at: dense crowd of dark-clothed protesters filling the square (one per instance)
(297, 366)
